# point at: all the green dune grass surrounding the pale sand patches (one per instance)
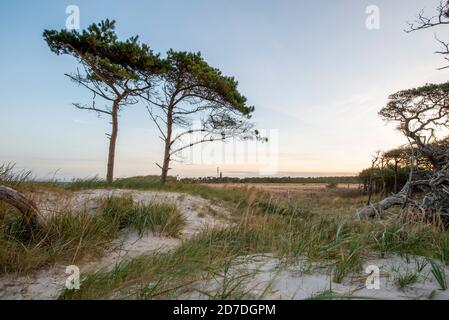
(317, 226)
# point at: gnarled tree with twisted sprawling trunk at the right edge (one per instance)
(421, 114)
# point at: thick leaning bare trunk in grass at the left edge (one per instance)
(19, 201)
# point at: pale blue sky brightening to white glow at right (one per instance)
(313, 70)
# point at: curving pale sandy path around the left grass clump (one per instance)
(46, 284)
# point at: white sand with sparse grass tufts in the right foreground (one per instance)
(268, 279)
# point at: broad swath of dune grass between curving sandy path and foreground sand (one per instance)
(337, 241)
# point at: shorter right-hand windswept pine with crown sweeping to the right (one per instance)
(193, 90)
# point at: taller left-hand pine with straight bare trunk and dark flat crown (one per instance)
(114, 71)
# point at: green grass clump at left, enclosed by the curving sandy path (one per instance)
(69, 237)
